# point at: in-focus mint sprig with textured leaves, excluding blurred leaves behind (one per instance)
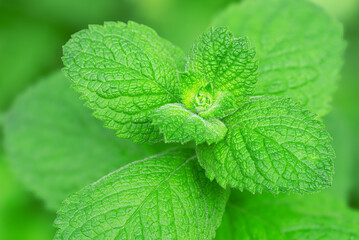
(131, 78)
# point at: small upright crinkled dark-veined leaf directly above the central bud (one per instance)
(226, 62)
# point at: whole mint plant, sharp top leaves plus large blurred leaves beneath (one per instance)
(234, 111)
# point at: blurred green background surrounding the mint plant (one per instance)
(32, 33)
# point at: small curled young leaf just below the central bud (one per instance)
(179, 124)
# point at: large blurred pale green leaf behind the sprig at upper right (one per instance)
(299, 48)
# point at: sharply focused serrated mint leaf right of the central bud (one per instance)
(273, 145)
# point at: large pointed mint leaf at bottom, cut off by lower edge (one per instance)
(162, 197)
